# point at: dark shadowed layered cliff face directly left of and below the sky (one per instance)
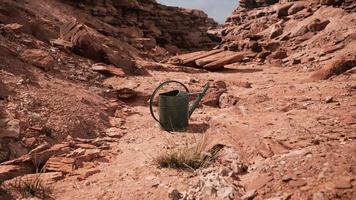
(168, 26)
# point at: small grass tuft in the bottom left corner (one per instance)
(29, 188)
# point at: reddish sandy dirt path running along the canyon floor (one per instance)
(281, 126)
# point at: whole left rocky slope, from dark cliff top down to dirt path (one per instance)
(55, 56)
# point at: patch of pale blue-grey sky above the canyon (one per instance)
(217, 9)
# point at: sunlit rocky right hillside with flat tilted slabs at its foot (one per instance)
(283, 33)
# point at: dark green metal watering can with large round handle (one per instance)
(174, 110)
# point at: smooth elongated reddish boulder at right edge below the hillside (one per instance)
(336, 66)
